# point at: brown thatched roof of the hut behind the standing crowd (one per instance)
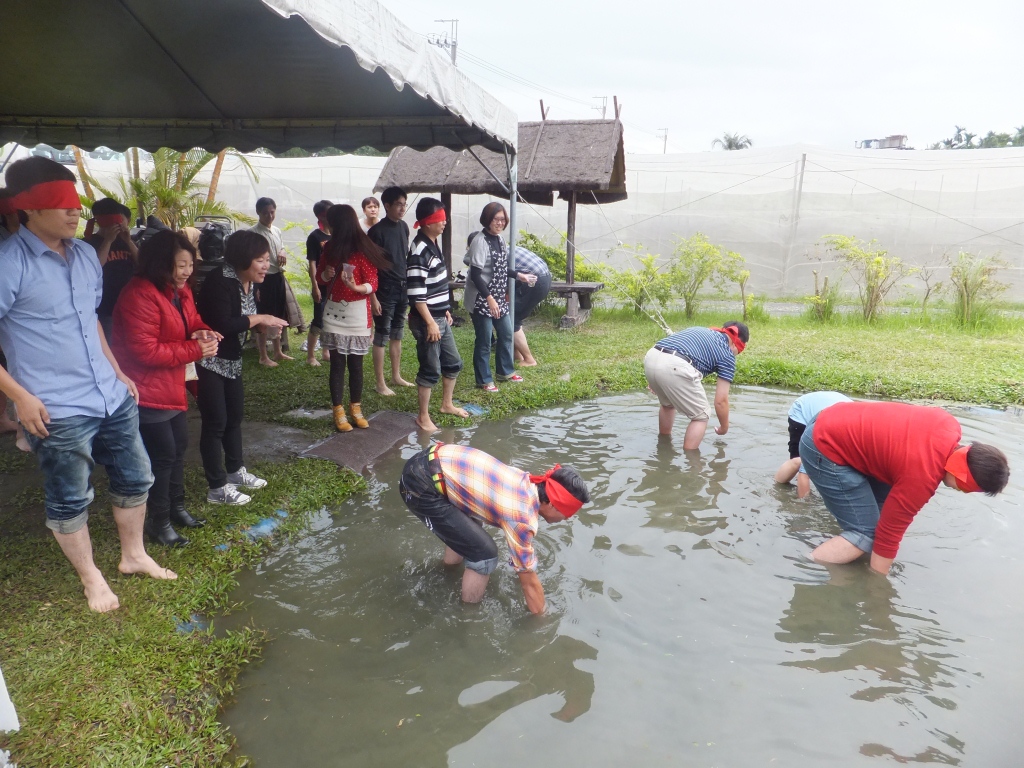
(585, 157)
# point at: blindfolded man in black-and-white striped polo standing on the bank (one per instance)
(431, 316)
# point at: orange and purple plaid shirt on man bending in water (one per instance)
(503, 496)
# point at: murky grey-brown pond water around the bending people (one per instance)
(686, 625)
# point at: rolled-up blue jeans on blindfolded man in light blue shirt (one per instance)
(75, 446)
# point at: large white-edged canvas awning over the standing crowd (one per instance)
(245, 74)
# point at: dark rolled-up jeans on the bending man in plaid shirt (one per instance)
(457, 530)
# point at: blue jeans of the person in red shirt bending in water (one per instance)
(855, 499)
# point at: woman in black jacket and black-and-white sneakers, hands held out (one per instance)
(228, 305)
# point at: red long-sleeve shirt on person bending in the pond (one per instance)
(906, 447)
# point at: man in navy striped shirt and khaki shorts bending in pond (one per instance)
(675, 368)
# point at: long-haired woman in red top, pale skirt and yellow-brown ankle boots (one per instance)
(349, 267)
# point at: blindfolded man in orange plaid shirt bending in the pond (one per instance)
(455, 490)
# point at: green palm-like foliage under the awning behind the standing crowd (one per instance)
(172, 190)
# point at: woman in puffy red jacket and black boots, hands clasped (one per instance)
(158, 337)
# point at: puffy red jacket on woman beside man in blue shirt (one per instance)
(151, 346)
